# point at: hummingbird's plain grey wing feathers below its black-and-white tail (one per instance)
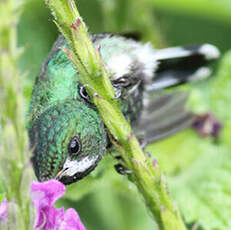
(163, 115)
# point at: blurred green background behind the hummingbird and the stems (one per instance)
(198, 170)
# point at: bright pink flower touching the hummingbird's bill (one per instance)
(48, 217)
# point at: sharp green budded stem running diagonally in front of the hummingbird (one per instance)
(86, 58)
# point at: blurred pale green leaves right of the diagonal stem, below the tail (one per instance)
(200, 169)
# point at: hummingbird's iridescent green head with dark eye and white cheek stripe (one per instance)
(68, 140)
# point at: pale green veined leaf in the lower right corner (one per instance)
(203, 191)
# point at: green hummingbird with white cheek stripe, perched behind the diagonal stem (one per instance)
(67, 135)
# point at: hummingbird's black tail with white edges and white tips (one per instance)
(183, 64)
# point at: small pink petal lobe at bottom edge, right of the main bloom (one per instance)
(71, 221)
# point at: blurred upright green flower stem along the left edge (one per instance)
(14, 145)
